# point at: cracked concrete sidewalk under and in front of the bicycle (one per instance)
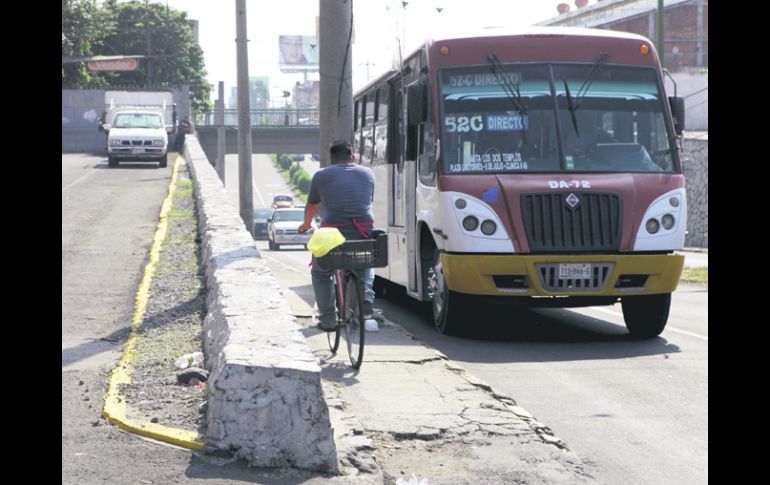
(418, 413)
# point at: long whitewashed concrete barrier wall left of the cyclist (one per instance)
(265, 401)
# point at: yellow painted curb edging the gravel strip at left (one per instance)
(114, 410)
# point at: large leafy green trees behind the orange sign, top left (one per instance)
(162, 34)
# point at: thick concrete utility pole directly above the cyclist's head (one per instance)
(335, 64)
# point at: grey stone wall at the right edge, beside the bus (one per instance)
(696, 163)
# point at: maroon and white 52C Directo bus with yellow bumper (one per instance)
(539, 167)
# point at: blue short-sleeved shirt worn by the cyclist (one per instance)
(345, 191)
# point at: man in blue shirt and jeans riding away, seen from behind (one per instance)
(345, 190)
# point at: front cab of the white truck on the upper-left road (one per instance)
(137, 135)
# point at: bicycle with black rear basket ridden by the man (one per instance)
(349, 289)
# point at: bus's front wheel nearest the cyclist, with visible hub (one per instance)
(446, 304)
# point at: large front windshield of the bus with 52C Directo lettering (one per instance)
(503, 118)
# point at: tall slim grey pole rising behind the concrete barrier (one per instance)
(244, 120)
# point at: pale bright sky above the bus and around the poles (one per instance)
(377, 25)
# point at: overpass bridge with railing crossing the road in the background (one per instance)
(279, 130)
